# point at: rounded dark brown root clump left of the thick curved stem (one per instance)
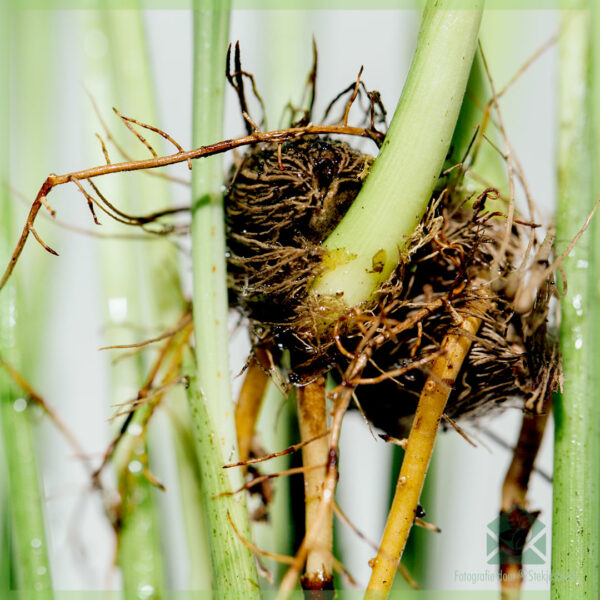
(281, 202)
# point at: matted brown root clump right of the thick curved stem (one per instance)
(513, 355)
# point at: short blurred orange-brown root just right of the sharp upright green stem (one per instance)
(249, 402)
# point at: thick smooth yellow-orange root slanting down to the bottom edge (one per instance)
(421, 440)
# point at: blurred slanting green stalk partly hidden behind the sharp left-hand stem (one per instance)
(162, 302)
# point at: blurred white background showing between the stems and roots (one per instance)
(73, 374)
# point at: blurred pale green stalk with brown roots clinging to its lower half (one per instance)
(126, 273)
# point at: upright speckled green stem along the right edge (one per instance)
(575, 532)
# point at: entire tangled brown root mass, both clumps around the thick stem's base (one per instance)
(281, 205)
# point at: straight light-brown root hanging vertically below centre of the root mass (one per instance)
(312, 418)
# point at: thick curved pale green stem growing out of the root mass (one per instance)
(396, 193)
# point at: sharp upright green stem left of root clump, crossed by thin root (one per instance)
(234, 570)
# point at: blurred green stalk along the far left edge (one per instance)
(28, 549)
